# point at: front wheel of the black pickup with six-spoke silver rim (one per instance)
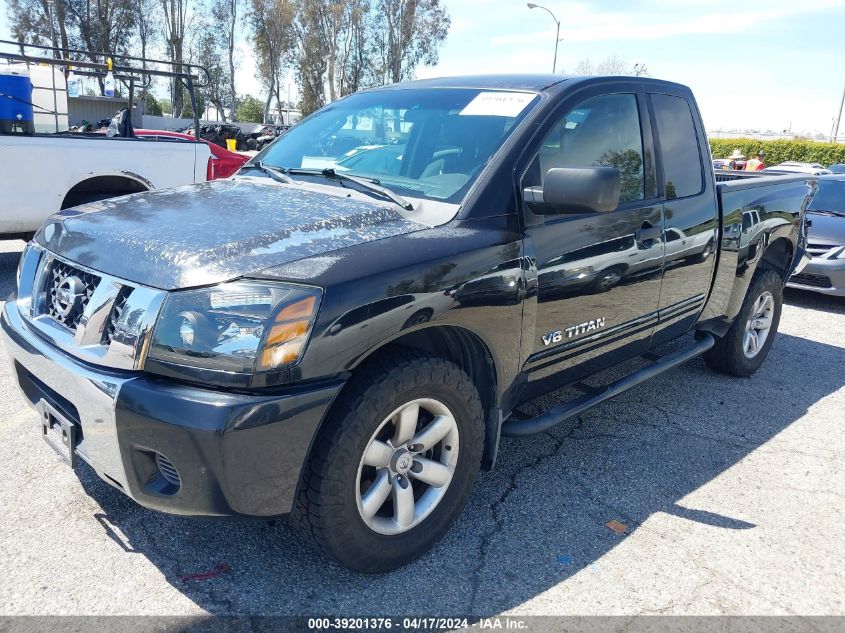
(331, 503)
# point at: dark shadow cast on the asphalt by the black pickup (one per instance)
(538, 519)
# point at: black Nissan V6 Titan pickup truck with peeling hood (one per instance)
(343, 331)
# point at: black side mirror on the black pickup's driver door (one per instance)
(576, 190)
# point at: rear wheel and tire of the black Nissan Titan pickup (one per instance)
(730, 355)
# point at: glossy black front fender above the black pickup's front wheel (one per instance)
(468, 275)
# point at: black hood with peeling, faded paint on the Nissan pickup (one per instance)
(204, 234)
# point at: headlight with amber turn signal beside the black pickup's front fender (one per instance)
(243, 326)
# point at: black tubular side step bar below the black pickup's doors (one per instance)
(515, 427)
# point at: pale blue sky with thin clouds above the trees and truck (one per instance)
(769, 65)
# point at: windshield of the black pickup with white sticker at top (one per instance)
(424, 143)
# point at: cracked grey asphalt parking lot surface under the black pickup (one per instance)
(729, 498)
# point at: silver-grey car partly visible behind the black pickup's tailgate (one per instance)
(826, 271)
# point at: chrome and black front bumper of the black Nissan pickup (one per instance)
(169, 446)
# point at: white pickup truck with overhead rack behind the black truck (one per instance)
(54, 169)
